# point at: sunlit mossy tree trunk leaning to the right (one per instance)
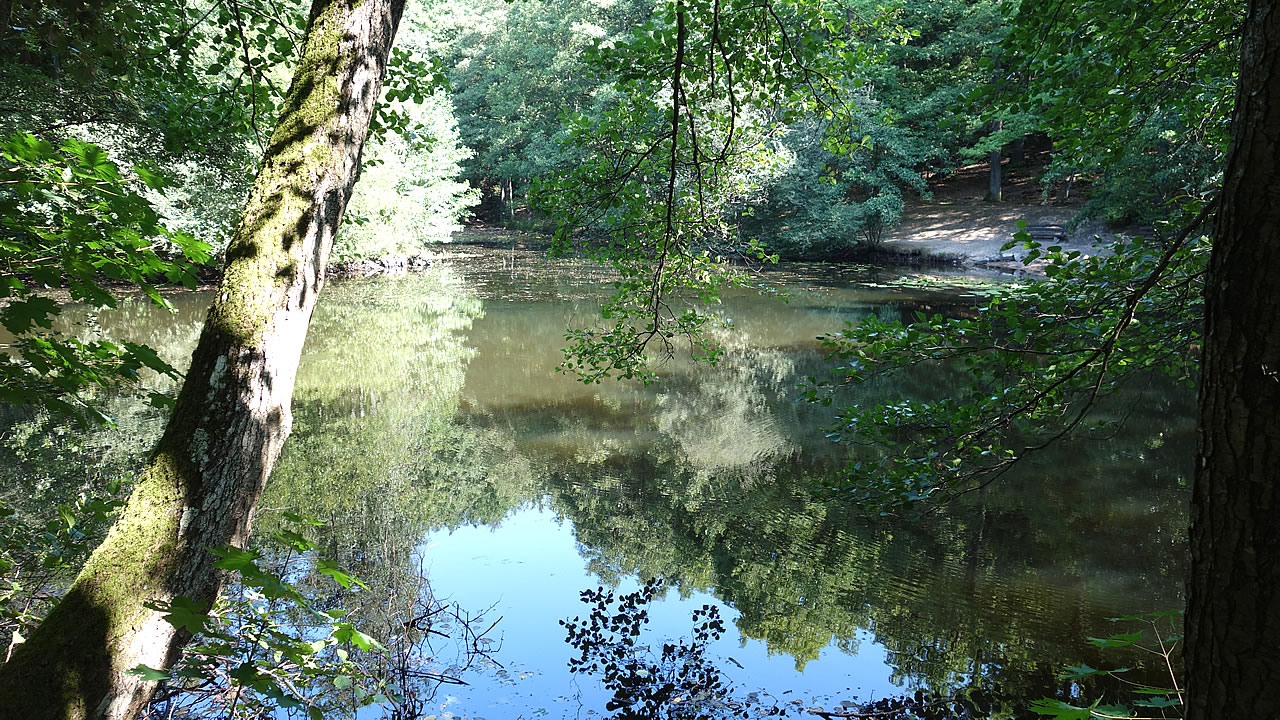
(203, 482)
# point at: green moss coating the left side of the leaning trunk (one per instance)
(76, 651)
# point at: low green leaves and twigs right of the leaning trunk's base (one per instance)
(278, 645)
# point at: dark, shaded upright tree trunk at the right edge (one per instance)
(1233, 605)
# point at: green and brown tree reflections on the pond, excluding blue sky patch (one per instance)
(431, 403)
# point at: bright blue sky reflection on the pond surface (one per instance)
(531, 571)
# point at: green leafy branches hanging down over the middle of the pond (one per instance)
(700, 90)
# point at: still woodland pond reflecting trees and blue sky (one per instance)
(435, 438)
